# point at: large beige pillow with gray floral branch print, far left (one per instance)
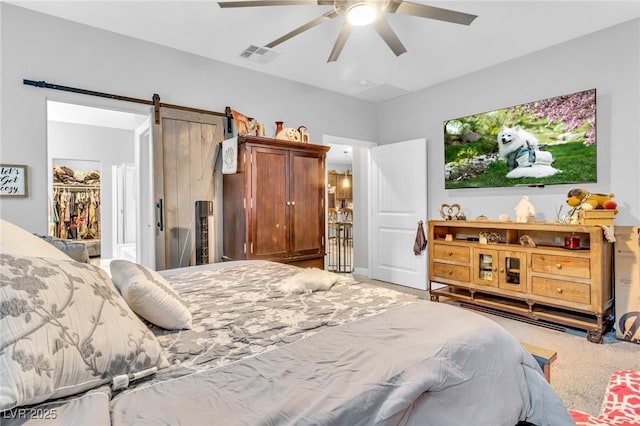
(65, 329)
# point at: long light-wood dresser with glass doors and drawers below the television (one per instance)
(547, 282)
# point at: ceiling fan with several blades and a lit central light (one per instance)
(359, 12)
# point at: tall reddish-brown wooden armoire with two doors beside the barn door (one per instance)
(274, 205)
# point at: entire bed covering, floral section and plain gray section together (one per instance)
(355, 354)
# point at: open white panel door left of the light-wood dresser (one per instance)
(398, 203)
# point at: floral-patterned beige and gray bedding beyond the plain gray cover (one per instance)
(240, 310)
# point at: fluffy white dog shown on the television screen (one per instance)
(521, 150)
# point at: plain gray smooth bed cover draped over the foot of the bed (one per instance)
(420, 364)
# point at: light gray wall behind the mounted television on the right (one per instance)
(608, 60)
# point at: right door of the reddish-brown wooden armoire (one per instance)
(307, 209)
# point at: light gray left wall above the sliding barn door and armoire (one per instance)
(35, 46)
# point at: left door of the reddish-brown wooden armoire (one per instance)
(269, 210)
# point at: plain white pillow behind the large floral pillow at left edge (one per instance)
(19, 242)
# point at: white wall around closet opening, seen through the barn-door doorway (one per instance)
(108, 146)
